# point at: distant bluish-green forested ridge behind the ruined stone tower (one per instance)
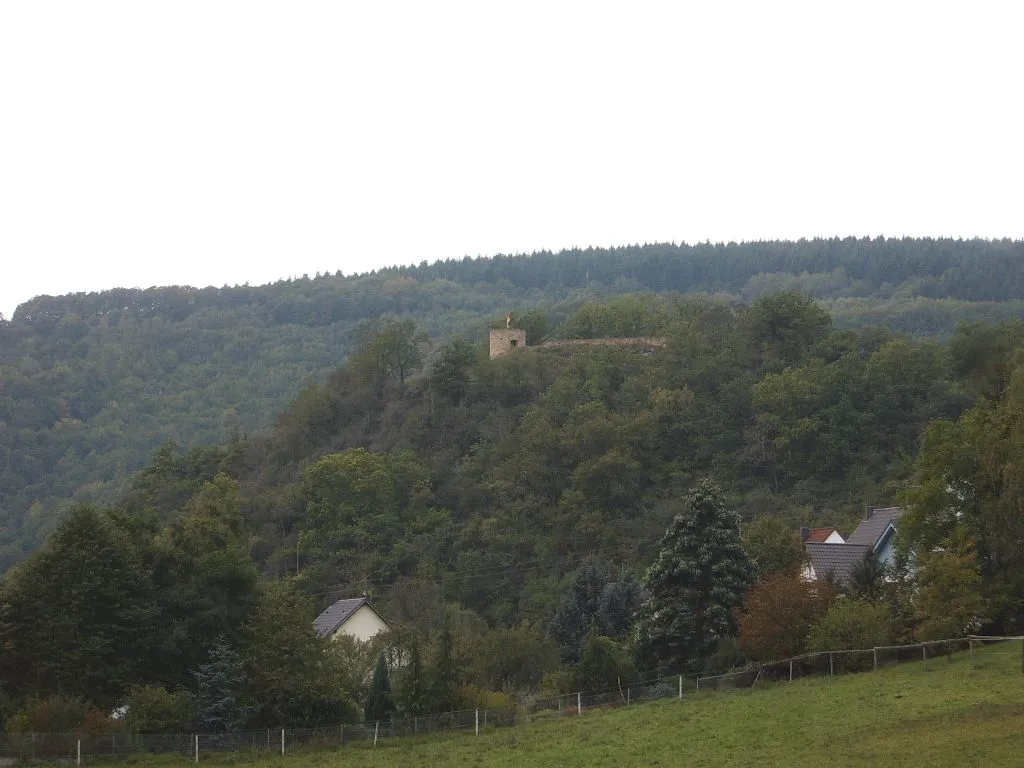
(92, 385)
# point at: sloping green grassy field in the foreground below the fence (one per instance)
(953, 715)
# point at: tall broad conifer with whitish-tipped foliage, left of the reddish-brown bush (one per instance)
(694, 587)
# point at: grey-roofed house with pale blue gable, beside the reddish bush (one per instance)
(874, 538)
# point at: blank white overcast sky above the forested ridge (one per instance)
(148, 143)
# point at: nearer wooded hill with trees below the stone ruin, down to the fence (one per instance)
(553, 519)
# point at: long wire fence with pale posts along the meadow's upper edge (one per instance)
(979, 653)
